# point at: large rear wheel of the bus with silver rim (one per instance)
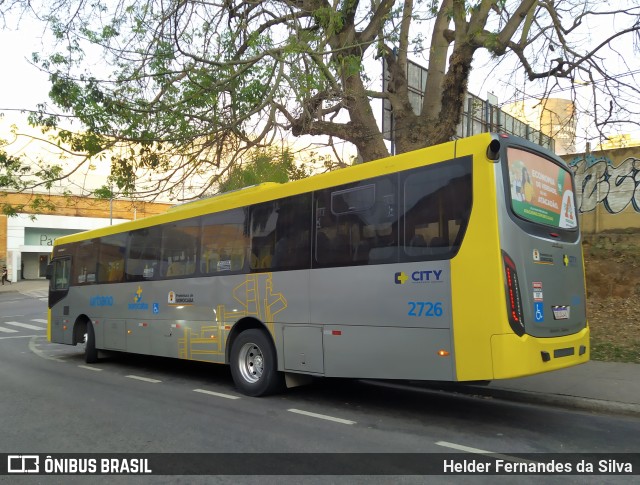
(254, 365)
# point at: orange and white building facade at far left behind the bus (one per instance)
(26, 240)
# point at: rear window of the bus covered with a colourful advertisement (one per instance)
(541, 191)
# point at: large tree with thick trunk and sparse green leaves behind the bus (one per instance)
(189, 85)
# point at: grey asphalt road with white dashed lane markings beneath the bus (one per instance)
(52, 402)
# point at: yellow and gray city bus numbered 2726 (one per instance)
(457, 262)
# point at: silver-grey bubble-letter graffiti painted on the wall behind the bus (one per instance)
(599, 181)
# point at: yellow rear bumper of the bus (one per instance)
(515, 356)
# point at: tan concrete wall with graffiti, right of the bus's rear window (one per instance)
(608, 189)
